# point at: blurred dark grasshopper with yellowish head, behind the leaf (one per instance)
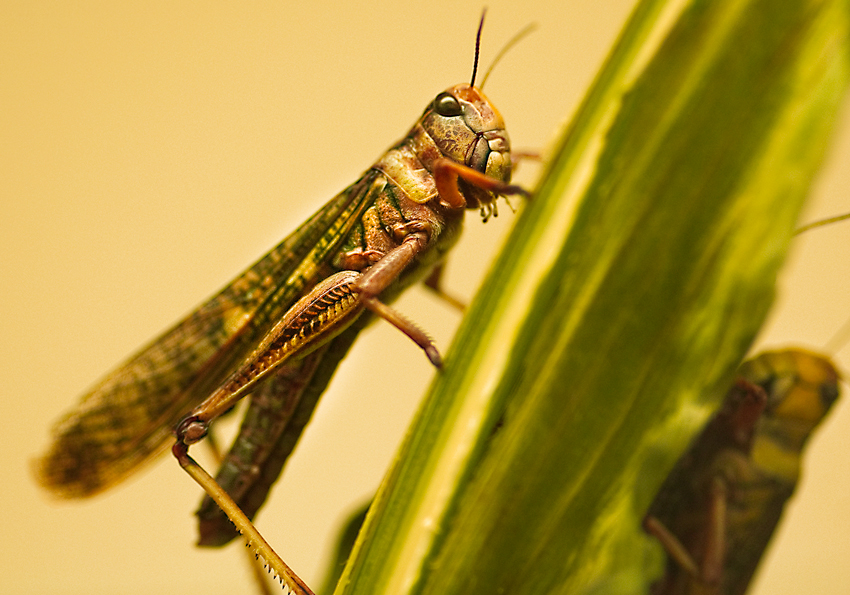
(718, 508)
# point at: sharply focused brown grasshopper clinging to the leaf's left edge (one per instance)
(279, 330)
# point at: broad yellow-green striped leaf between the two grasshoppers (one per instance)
(631, 287)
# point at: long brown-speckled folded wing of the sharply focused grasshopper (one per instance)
(128, 416)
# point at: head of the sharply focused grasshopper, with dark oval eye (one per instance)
(468, 129)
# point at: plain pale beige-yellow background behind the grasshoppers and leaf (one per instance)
(151, 152)
